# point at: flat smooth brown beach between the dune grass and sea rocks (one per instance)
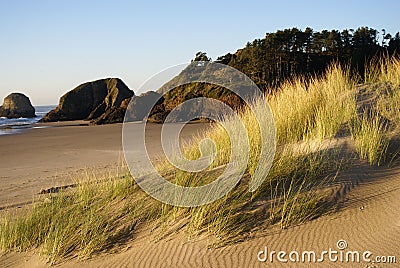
(59, 153)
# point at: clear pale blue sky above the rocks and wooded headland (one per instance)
(49, 47)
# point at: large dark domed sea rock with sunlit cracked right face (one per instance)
(97, 101)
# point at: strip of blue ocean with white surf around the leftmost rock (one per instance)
(16, 125)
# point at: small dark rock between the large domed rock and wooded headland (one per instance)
(140, 106)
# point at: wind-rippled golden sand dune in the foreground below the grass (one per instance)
(368, 219)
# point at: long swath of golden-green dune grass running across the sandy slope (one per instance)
(98, 216)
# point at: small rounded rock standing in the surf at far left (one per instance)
(17, 105)
